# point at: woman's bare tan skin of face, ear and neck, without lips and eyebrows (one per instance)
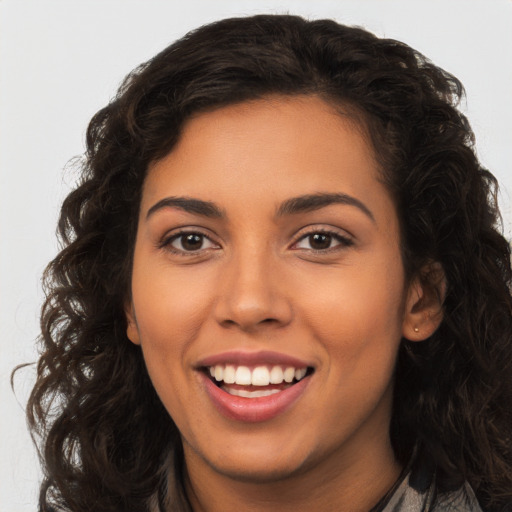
(255, 284)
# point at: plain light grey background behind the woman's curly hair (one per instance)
(60, 61)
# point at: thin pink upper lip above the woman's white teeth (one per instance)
(263, 357)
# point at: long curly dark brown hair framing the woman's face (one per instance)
(105, 438)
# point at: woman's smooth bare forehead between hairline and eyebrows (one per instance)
(268, 150)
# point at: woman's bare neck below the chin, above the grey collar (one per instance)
(343, 481)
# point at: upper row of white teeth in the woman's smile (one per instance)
(258, 376)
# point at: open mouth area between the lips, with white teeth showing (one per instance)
(255, 382)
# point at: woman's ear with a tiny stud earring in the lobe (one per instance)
(424, 304)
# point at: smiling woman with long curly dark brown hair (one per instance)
(282, 287)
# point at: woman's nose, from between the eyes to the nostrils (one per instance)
(252, 295)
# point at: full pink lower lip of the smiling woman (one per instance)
(254, 410)
